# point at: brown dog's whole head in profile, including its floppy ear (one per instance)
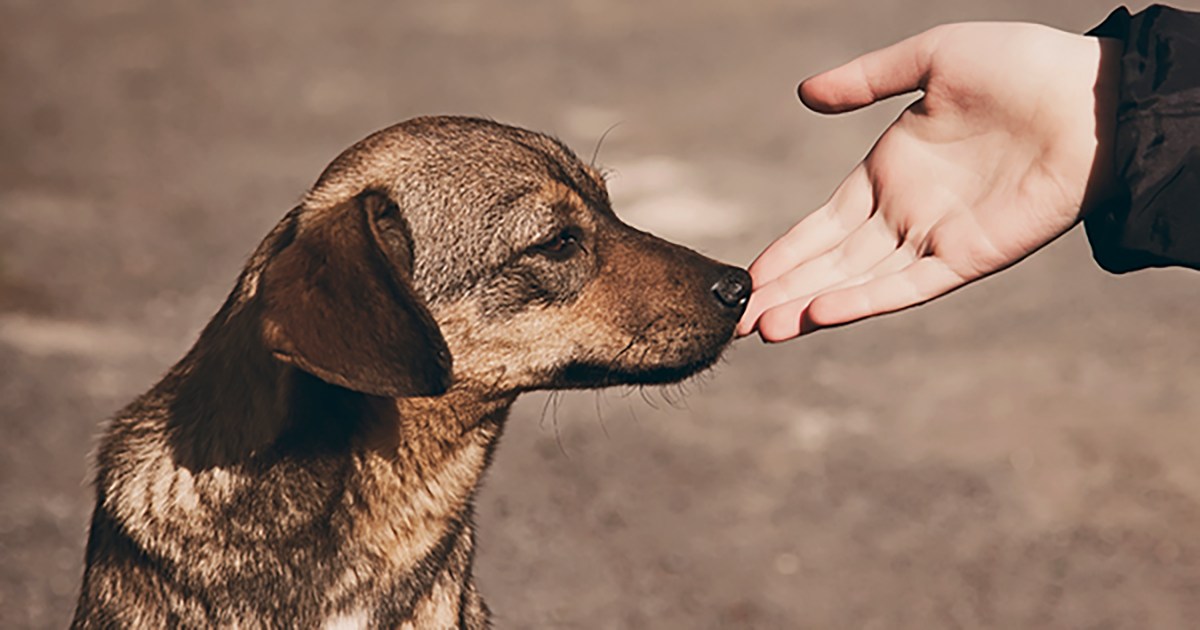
(460, 251)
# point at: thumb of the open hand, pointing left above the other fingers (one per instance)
(899, 69)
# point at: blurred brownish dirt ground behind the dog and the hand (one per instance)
(1022, 454)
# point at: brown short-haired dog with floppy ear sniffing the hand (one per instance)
(311, 463)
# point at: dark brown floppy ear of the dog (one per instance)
(339, 303)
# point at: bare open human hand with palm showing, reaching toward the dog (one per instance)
(1009, 148)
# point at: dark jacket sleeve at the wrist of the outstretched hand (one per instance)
(1155, 221)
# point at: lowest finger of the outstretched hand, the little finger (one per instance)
(920, 283)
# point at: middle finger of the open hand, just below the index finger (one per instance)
(857, 255)
